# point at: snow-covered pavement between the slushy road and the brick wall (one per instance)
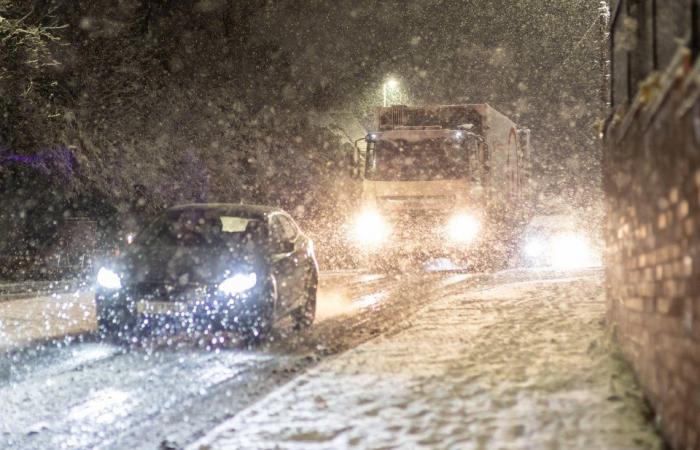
(516, 364)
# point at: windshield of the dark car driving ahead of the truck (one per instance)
(198, 227)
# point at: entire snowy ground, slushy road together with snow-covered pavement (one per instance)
(434, 360)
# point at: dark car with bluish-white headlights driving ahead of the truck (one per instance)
(210, 267)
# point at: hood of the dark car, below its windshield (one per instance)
(181, 265)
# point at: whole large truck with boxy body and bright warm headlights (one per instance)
(449, 181)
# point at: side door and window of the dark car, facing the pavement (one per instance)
(284, 263)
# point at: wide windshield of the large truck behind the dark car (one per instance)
(430, 159)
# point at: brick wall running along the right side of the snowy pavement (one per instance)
(652, 182)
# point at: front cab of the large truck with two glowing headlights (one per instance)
(422, 192)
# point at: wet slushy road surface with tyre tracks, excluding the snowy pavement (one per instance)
(86, 394)
